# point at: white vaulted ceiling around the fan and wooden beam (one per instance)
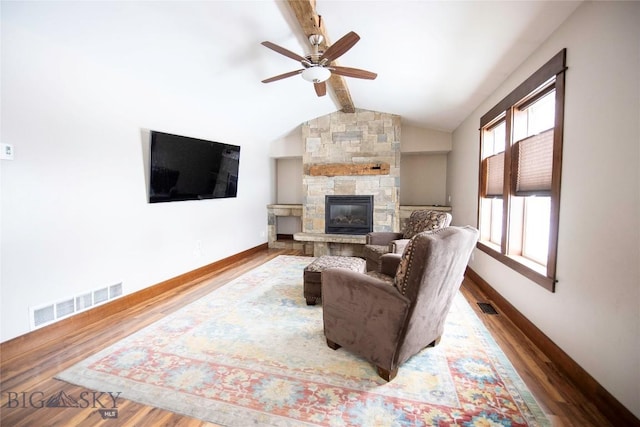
(435, 60)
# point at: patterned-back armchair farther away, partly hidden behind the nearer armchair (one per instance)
(379, 243)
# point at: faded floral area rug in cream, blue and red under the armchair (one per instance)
(252, 352)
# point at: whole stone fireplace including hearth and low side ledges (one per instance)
(346, 154)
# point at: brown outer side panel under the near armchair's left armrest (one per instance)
(363, 314)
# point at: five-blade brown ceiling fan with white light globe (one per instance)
(317, 66)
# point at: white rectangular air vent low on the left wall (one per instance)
(49, 313)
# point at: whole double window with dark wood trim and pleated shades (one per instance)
(520, 169)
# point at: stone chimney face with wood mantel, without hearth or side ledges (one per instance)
(351, 154)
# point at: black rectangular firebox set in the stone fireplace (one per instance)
(348, 214)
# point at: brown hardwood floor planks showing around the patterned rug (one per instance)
(29, 377)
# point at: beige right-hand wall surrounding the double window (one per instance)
(595, 313)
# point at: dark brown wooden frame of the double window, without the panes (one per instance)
(530, 90)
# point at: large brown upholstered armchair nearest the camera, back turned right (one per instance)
(386, 317)
